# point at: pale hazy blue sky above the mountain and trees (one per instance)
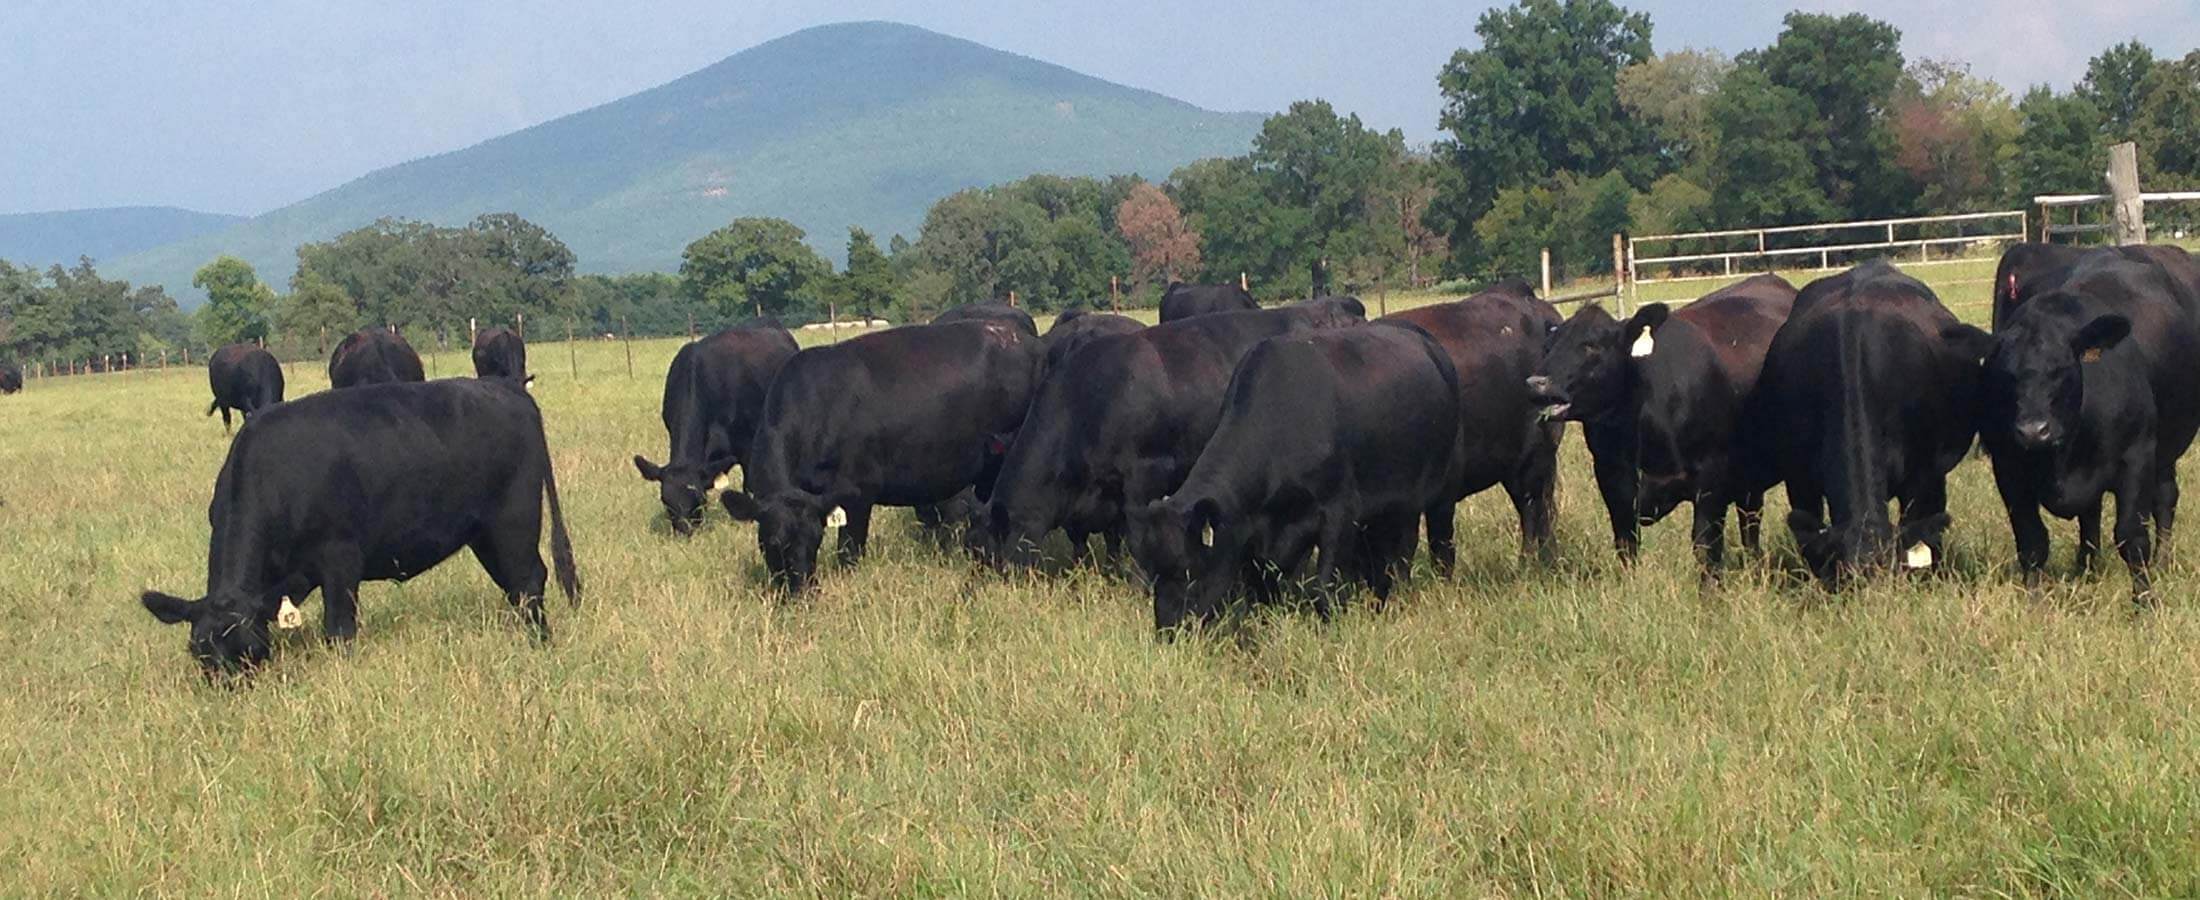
(243, 107)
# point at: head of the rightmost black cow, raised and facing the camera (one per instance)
(2036, 369)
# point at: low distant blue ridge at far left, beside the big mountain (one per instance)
(100, 234)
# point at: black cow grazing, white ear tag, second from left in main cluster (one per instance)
(905, 417)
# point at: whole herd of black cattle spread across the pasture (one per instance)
(1233, 446)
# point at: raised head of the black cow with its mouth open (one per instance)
(1585, 362)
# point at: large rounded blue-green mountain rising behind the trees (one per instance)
(833, 127)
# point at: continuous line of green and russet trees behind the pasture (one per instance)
(1563, 129)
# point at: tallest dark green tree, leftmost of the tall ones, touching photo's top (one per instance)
(1539, 98)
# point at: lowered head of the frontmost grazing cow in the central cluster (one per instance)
(1185, 556)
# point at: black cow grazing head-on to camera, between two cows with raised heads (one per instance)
(1869, 395)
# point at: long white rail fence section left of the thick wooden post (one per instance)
(1996, 228)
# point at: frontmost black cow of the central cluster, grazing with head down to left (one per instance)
(1332, 441)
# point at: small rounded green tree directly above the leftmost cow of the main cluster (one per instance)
(756, 265)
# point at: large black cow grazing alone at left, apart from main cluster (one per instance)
(373, 483)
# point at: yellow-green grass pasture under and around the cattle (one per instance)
(923, 729)
